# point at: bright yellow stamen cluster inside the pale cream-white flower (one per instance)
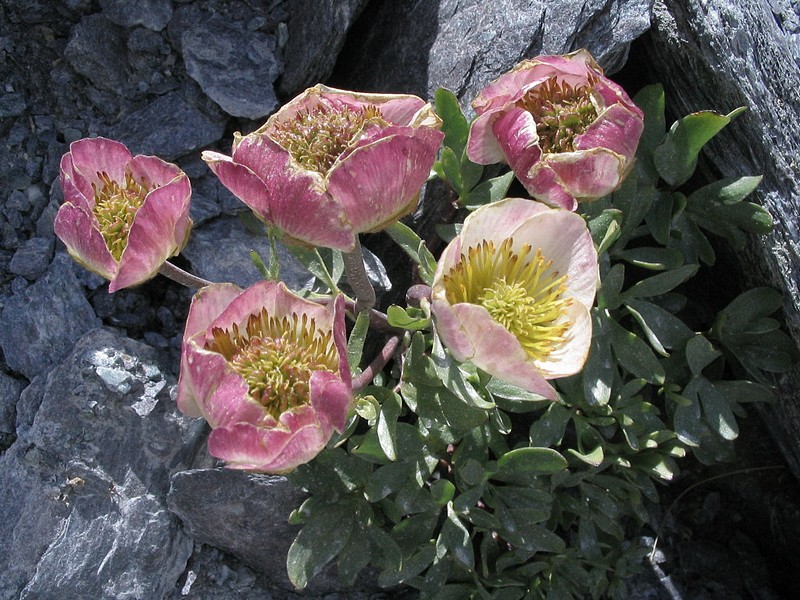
(520, 291)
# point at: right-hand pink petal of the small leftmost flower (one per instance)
(158, 231)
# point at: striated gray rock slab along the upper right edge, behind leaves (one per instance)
(745, 53)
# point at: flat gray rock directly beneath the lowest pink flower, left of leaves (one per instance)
(220, 507)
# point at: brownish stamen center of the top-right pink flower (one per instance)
(561, 112)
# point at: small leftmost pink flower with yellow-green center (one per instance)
(123, 215)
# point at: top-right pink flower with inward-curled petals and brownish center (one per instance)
(567, 131)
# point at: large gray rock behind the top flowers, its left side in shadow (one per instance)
(419, 47)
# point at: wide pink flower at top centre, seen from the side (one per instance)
(331, 164)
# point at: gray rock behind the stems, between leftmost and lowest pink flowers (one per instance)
(233, 264)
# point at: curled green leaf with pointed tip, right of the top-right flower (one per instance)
(676, 158)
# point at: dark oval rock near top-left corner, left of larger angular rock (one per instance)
(96, 49)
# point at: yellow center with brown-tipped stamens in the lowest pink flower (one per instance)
(276, 357)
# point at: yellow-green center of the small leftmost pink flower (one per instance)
(115, 206)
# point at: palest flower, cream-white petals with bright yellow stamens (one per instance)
(513, 292)
